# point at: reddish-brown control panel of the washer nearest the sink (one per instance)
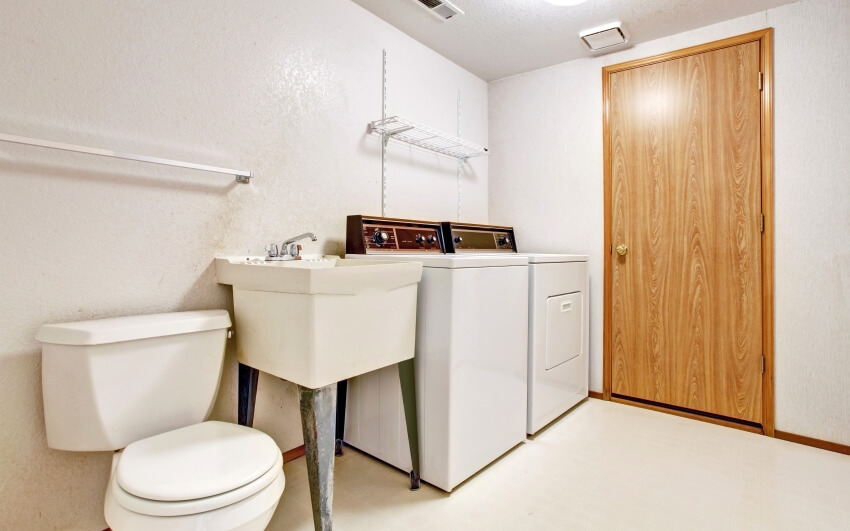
(370, 235)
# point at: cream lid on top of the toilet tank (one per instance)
(116, 329)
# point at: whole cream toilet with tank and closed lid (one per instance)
(145, 384)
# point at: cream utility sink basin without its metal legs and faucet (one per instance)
(321, 319)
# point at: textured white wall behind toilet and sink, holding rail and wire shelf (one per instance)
(282, 88)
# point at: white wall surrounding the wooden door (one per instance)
(546, 180)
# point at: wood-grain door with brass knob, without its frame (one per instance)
(685, 192)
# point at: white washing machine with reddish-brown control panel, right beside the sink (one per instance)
(470, 361)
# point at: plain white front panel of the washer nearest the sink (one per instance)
(488, 367)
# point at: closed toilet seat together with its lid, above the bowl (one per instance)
(195, 469)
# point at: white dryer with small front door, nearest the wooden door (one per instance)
(558, 319)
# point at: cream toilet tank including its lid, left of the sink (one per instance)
(110, 382)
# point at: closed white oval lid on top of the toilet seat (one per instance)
(196, 461)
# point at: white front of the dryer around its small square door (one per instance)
(552, 392)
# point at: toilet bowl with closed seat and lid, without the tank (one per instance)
(211, 476)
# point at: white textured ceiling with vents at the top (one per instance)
(501, 38)
